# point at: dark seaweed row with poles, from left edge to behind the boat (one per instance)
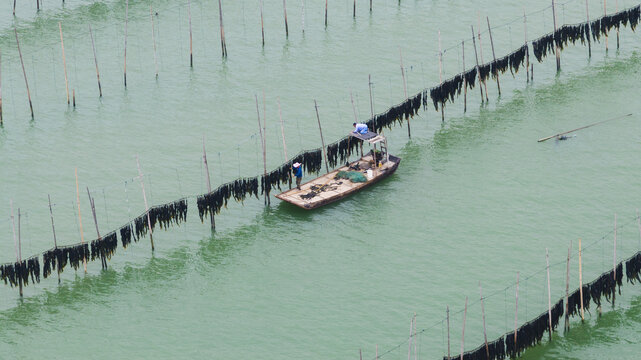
(19, 272)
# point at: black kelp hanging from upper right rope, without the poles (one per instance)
(451, 88)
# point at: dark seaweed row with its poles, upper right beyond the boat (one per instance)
(556, 41)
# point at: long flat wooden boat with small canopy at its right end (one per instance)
(327, 188)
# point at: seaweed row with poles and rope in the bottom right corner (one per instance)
(513, 343)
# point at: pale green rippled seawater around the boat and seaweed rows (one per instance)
(475, 199)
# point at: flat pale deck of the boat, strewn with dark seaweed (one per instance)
(326, 189)
